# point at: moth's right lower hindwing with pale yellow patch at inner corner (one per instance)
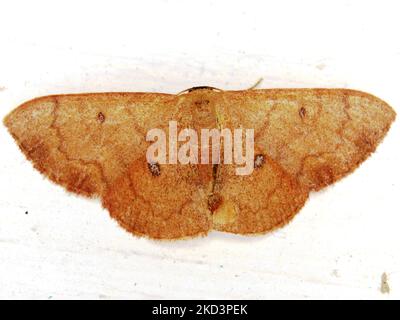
(266, 199)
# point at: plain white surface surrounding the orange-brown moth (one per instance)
(338, 246)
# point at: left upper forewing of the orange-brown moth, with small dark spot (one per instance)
(85, 141)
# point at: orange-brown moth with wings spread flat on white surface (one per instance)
(304, 140)
